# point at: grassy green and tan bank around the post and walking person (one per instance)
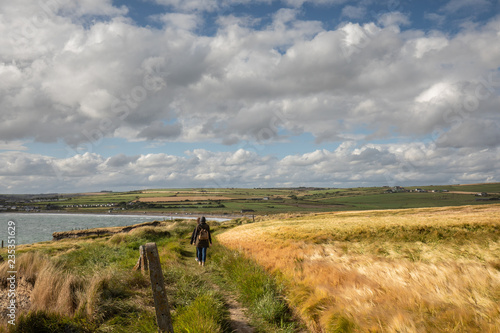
(87, 285)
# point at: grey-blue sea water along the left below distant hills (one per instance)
(38, 227)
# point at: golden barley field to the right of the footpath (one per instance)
(412, 270)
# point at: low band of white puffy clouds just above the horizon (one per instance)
(349, 164)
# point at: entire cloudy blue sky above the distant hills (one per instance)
(139, 94)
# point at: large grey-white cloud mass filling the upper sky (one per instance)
(115, 78)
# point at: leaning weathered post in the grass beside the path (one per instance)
(162, 308)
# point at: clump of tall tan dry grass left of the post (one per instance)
(56, 289)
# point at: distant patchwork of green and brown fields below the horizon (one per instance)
(262, 201)
